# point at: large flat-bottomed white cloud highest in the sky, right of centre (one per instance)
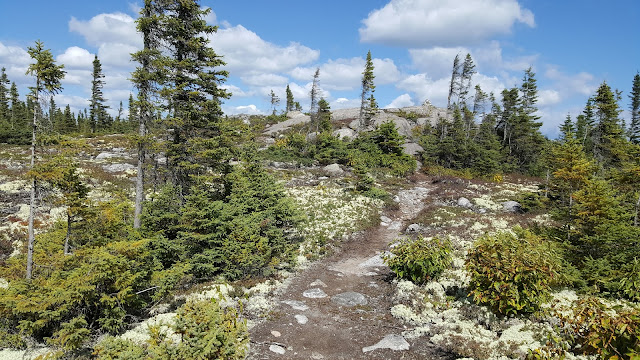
(422, 23)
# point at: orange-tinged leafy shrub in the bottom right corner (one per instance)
(597, 329)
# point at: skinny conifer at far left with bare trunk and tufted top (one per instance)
(48, 76)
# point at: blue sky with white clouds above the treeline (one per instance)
(572, 46)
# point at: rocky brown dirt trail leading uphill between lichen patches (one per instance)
(333, 331)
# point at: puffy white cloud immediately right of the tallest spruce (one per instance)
(246, 53)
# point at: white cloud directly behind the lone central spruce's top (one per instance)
(346, 74)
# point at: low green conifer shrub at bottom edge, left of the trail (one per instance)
(205, 331)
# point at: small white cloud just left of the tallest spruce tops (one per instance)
(107, 28)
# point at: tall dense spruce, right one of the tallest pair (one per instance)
(192, 91)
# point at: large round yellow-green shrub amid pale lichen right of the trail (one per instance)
(513, 273)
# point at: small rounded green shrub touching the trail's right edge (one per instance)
(420, 260)
